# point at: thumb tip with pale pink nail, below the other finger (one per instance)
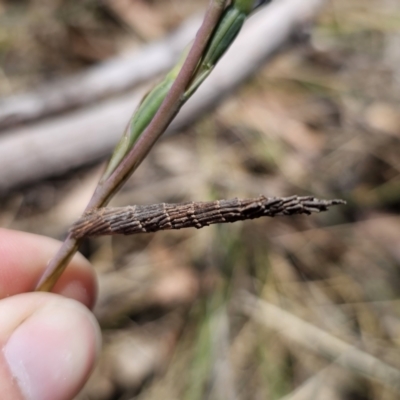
(51, 344)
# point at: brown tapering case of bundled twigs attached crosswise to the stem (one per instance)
(156, 217)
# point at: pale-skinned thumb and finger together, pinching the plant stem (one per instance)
(49, 341)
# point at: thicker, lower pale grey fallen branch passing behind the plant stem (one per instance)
(54, 147)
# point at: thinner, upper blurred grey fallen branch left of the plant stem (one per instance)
(108, 78)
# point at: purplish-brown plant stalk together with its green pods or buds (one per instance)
(156, 111)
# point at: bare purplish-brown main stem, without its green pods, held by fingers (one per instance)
(169, 107)
